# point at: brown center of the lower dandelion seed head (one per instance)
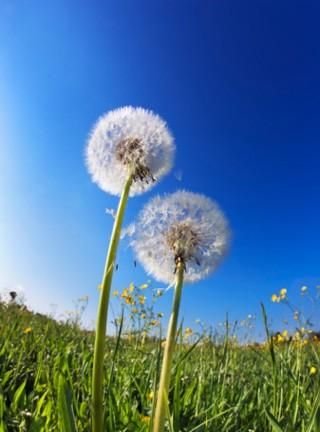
(183, 239)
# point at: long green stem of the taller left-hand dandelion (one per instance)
(98, 370)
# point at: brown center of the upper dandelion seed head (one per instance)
(130, 153)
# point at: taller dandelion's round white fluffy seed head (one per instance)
(129, 141)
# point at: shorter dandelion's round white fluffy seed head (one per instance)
(181, 226)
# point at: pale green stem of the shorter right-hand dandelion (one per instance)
(162, 400)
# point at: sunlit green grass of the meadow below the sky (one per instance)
(45, 380)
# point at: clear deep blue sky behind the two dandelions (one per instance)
(238, 84)
